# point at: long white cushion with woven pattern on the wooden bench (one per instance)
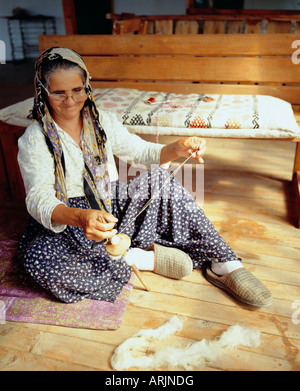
(151, 112)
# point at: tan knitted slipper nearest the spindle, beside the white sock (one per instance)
(171, 262)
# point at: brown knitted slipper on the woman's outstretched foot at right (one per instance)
(243, 285)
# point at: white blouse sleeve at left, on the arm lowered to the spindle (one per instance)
(37, 169)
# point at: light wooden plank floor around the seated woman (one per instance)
(248, 197)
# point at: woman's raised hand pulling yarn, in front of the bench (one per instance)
(186, 146)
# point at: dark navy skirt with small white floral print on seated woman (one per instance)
(73, 268)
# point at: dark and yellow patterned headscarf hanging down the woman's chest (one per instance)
(96, 177)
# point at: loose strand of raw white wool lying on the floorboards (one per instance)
(188, 357)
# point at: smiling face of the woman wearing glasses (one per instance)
(65, 82)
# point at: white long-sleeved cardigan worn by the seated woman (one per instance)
(37, 165)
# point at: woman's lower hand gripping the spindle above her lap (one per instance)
(97, 225)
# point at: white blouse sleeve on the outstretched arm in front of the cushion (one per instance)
(127, 145)
